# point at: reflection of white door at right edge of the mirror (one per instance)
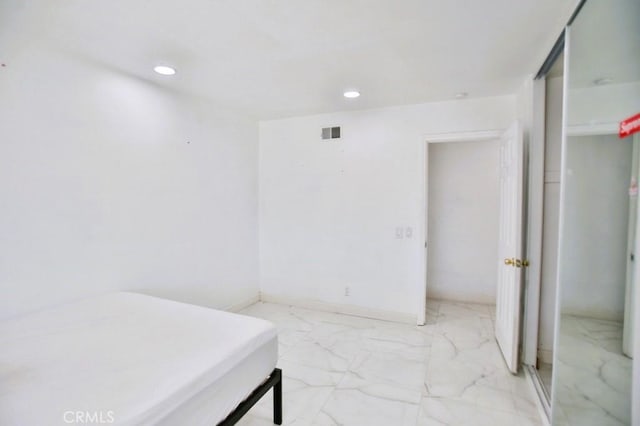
(632, 253)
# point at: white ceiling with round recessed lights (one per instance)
(278, 58)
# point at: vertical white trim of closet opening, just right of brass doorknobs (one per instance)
(535, 203)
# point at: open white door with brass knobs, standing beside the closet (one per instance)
(510, 246)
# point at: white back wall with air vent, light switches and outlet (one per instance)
(329, 209)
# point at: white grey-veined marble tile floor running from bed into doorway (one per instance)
(344, 370)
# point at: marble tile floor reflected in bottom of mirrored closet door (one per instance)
(593, 377)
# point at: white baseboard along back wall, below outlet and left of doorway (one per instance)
(357, 311)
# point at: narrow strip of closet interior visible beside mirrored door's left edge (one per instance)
(551, 216)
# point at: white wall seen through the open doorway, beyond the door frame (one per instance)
(463, 220)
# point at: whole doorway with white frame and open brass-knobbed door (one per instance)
(462, 198)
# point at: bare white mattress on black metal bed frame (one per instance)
(132, 359)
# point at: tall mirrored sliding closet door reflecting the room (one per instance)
(597, 259)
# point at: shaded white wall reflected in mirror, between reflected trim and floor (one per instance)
(594, 258)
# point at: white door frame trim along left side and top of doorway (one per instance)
(474, 136)
